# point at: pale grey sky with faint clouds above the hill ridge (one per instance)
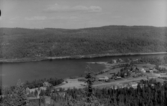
(82, 13)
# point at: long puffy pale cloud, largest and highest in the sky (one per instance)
(79, 8)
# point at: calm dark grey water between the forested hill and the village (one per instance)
(12, 72)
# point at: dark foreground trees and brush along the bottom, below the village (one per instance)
(148, 93)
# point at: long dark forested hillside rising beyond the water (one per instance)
(49, 42)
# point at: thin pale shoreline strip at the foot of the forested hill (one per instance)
(77, 57)
